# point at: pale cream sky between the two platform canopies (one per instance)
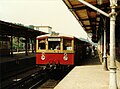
(53, 13)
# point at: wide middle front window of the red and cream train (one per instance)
(54, 45)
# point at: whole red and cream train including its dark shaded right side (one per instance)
(59, 49)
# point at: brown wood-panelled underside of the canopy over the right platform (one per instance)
(88, 18)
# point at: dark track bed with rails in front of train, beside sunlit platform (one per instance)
(34, 78)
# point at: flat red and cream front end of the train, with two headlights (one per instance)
(55, 49)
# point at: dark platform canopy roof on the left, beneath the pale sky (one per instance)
(11, 29)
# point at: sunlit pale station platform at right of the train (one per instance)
(88, 76)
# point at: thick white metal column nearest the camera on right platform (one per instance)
(113, 78)
